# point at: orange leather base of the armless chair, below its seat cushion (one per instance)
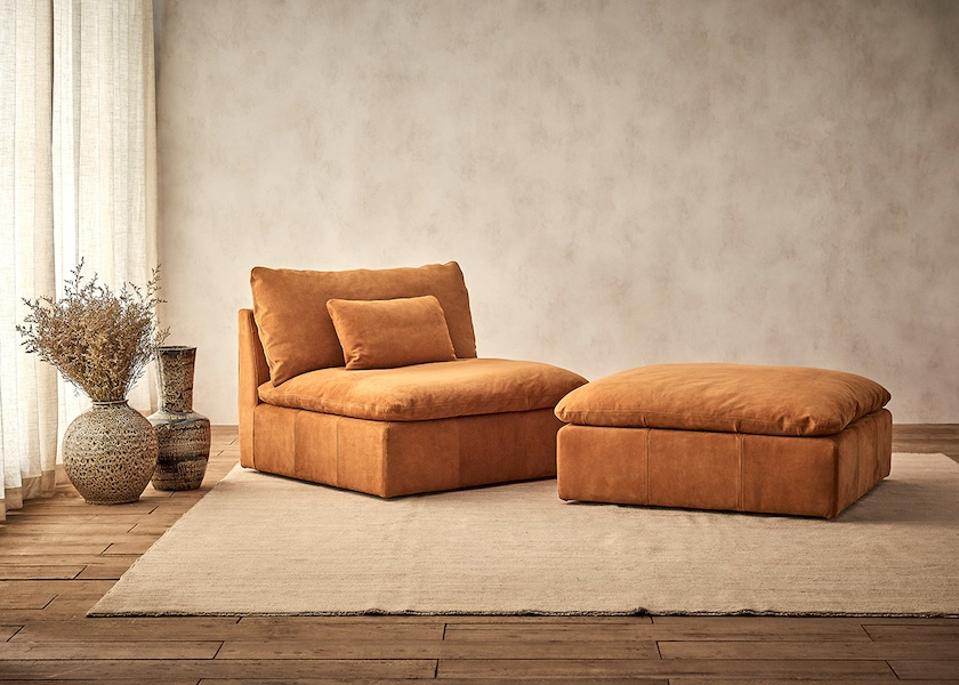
(392, 458)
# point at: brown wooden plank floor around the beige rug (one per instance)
(59, 555)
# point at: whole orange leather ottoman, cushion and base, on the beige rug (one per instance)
(768, 439)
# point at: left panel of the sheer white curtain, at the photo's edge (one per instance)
(28, 389)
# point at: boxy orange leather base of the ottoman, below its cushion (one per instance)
(807, 476)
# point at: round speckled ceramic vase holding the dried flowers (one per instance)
(109, 453)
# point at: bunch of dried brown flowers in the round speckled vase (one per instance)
(100, 341)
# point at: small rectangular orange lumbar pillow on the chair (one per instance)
(382, 334)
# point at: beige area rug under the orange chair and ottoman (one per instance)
(260, 544)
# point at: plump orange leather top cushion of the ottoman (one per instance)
(727, 398)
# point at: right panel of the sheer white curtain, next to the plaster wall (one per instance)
(104, 150)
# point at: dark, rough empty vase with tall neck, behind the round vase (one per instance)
(182, 434)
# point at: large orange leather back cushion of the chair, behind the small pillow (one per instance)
(295, 327)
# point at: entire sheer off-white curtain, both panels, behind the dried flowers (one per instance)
(78, 153)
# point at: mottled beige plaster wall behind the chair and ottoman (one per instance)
(623, 182)
